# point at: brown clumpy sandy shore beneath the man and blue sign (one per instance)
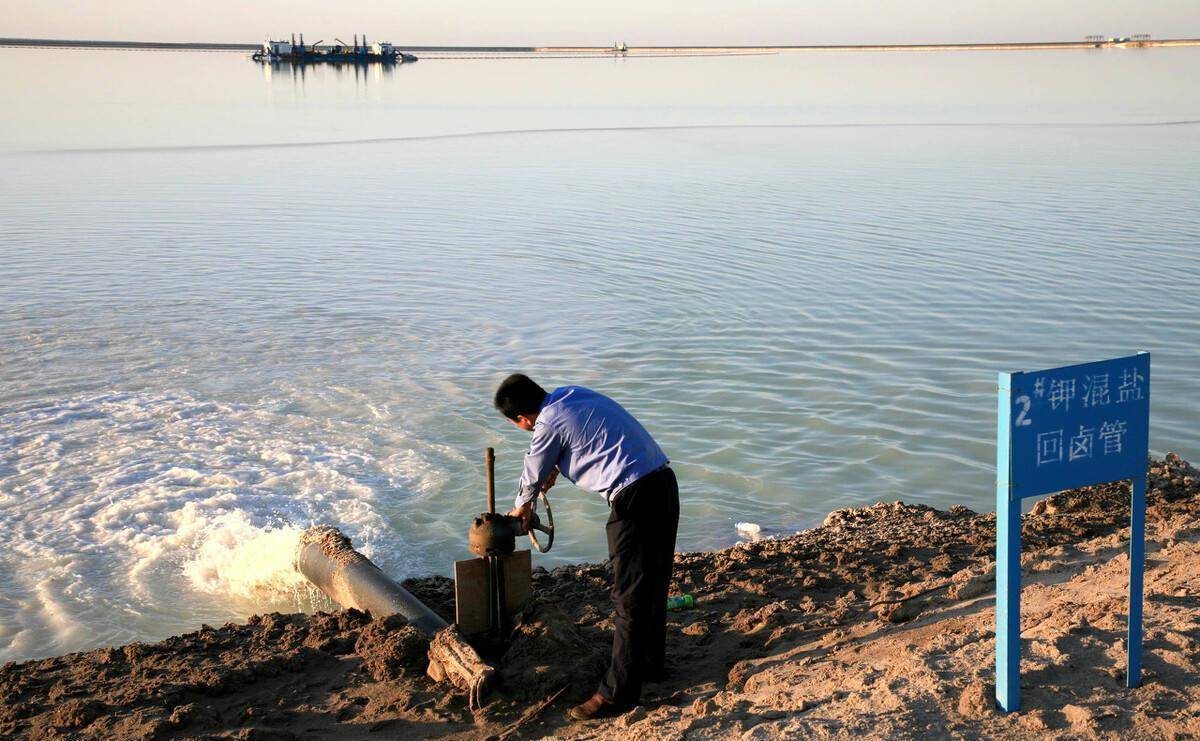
(878, 624)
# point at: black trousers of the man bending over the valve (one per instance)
(641, 547)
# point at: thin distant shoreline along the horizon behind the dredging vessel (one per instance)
(75, 44)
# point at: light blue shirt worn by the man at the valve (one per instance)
(592, 441)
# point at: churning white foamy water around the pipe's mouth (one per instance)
(149, 514)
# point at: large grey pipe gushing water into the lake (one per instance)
(327, 558)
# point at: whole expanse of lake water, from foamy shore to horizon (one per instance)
(237, 302)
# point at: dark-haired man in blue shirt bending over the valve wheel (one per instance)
(597, 445)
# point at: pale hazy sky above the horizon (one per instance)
(574, 22)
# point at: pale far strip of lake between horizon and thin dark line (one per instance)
(212, 99)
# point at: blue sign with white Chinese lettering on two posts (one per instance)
(1058, 430)
